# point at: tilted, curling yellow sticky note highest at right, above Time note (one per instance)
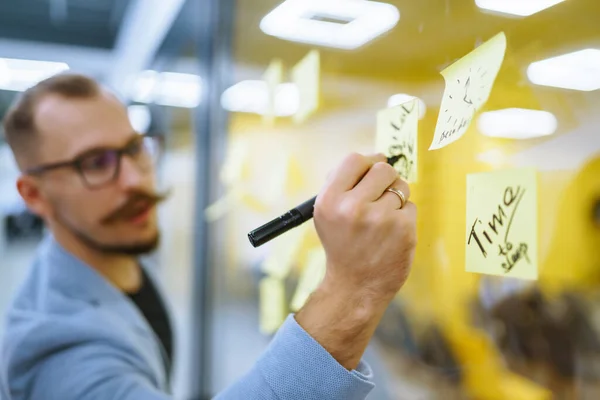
(469, 82)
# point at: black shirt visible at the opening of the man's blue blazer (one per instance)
(149, 302)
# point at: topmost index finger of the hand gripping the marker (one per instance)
(351, 171)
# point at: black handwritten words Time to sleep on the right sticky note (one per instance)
(487, 236)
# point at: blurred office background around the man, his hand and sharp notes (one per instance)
(249, 136)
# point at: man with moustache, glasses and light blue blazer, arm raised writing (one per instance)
(88, 322)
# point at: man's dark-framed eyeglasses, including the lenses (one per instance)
(100, 167)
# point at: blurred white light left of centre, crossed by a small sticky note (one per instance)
(252, 96)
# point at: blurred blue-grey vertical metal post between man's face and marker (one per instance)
(214, 30)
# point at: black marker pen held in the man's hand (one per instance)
(291, 219)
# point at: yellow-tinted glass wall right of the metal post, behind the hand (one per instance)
(450, 333)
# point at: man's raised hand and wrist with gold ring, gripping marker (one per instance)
(370, 244)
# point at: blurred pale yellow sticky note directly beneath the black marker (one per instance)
(284, 252)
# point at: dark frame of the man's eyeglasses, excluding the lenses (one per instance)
(76, 162)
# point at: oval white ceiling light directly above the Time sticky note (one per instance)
(517, 123)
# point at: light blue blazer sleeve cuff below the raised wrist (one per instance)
(297, 367)
